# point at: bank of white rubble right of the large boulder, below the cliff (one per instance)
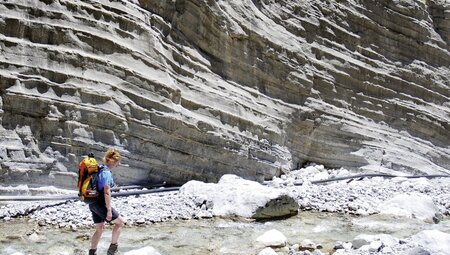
(362, 197)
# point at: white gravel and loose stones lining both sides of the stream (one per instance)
(360, 197)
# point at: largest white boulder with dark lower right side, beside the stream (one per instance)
(234, 196)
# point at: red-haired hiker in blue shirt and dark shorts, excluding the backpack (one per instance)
(102, 209)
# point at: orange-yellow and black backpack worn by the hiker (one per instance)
(88, 178)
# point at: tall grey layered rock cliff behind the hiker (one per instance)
(196, 89)
